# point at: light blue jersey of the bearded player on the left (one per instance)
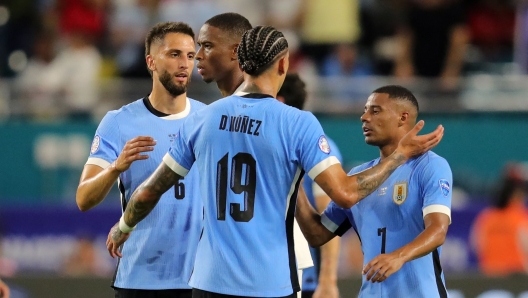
(160, 252)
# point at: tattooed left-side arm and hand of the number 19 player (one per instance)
(143, 200)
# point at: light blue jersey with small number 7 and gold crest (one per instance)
(392, 216)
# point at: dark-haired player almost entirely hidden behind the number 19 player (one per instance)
(319, 281)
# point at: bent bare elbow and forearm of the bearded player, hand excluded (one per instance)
(94, 185)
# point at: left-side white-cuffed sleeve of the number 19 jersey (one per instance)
(181, 157)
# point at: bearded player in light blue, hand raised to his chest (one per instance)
(128, 145)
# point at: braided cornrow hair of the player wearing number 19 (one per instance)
(259, 48)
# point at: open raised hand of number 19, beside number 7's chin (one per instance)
(413, 144)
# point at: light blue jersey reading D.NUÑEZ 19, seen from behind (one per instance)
(251, 152)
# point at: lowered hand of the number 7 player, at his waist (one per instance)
(382, 266)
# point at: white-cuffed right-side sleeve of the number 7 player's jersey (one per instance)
(436, 182)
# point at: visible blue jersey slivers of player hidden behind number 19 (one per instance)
(311, 275)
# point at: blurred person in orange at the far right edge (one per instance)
(500, 233)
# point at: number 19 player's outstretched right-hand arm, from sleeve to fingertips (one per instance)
(346, 191)
